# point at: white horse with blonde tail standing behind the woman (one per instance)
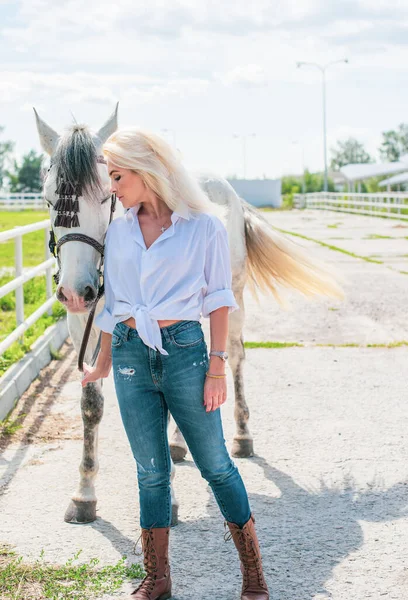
(260, 257)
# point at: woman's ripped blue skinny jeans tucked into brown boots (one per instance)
(148, 385)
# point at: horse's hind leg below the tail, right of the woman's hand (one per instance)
(242, 446)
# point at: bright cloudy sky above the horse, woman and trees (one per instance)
(201, 71)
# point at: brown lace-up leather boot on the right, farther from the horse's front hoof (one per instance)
(254, 585)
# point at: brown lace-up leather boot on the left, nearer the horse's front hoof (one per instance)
(157, 583)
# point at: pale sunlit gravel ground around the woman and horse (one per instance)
(329, 482)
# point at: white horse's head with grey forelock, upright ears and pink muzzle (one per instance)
(77, 191)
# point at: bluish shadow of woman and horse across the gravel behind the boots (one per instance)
(304, 534)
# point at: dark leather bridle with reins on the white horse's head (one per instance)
(55, 246)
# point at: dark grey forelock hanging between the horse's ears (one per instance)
(75, 159)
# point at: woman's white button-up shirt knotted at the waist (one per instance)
(186, 272)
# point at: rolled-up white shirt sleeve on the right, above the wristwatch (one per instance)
(217, 272)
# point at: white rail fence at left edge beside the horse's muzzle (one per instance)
(22, 276)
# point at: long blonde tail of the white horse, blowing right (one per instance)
(275, 261)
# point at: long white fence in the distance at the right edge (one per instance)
(392, 204)
